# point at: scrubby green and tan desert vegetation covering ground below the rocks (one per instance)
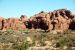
(24, 39)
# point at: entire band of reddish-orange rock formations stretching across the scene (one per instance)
(59, 20)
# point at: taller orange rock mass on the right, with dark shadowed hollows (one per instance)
(59, 20)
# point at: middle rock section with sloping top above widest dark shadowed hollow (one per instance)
(39, 21)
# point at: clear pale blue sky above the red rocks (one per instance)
(15, 8)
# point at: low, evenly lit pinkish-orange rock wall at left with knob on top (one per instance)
(13, 23)
